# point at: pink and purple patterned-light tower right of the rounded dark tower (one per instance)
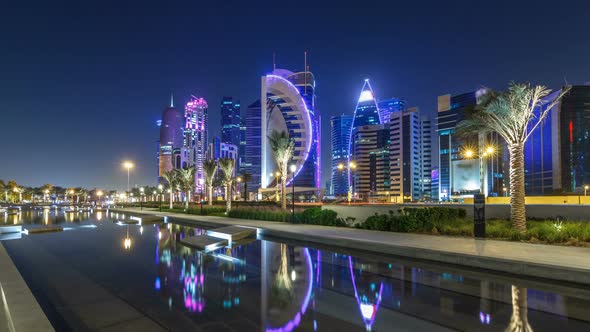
(195, 138)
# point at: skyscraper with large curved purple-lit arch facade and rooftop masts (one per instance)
(290, 106)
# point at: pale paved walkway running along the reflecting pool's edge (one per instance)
(533, 260)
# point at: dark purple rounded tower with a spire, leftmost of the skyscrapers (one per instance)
(171, 135)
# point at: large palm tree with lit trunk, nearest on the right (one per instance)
(512, 114)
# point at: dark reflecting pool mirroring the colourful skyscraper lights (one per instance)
(81, 276)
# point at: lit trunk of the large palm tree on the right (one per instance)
(517, 193)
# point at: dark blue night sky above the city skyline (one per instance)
(83, 83)
